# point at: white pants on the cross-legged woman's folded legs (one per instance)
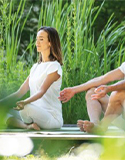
(39, 115)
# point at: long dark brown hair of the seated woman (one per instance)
(55, 49)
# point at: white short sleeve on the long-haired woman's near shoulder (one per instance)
(55, 66)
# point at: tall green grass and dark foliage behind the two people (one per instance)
(92, 34)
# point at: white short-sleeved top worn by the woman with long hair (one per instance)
(49, 100)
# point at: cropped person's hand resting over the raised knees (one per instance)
(100, 92)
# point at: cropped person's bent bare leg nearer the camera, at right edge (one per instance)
(114, 109)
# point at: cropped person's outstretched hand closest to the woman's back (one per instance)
(66, 94)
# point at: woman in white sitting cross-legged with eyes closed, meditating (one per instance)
(43, 108)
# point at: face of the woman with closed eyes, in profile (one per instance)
(42, 42)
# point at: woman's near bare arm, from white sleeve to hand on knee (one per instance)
(47, 83)
